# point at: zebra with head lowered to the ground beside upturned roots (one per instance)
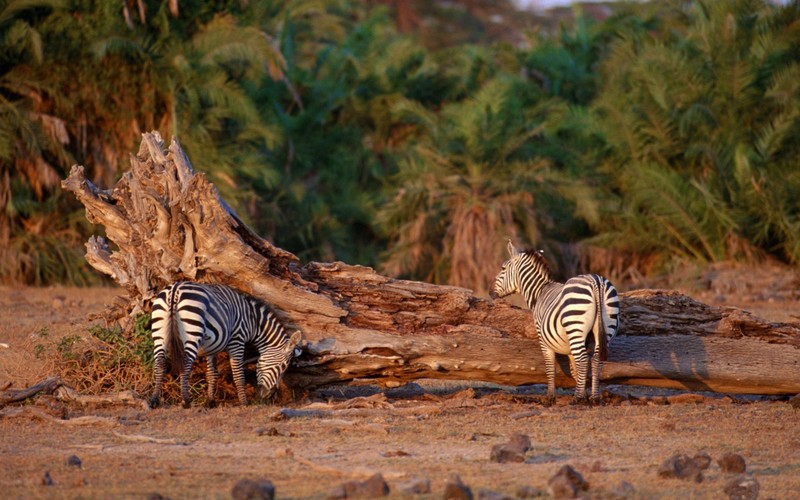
(192, 319)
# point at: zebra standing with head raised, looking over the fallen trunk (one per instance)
(565, 314)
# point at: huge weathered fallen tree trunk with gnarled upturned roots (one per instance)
(169, 223)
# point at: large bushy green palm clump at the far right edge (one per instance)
(702, 118)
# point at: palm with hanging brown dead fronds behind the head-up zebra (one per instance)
(469, 183)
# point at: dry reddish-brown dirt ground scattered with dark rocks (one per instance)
(428, 431)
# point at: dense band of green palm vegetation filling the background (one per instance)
(665, 132)
